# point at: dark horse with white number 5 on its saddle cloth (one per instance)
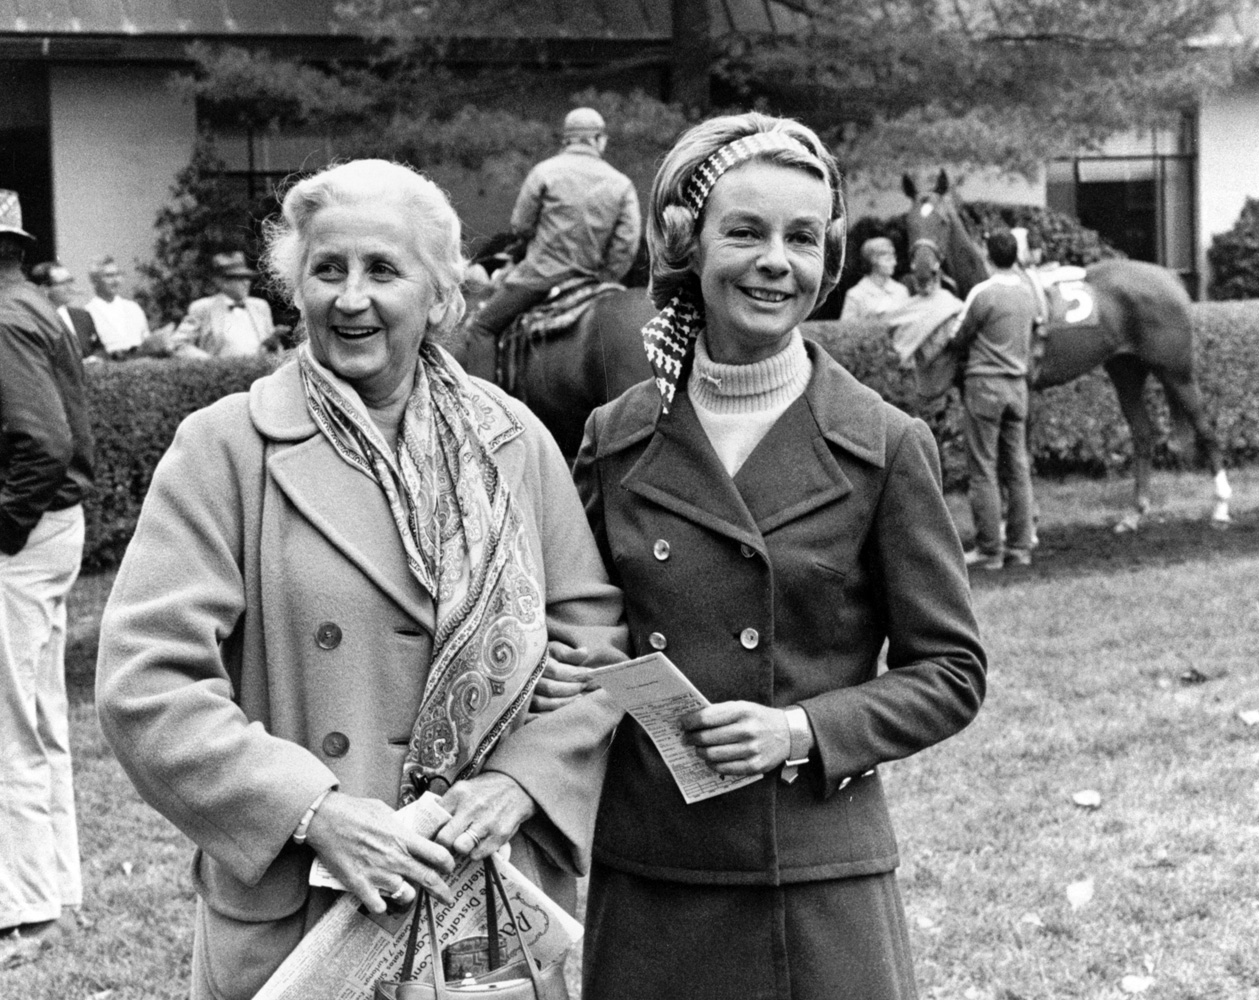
(1129, 317)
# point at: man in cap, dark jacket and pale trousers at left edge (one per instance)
(46, 470)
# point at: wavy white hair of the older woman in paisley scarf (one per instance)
(439, 236)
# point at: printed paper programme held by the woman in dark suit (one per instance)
(658, 695)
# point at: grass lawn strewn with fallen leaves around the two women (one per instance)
(1129, 685)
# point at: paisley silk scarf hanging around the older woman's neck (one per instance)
(465, 543)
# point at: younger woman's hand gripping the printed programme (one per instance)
(740, 739)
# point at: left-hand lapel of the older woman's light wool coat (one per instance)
(351, 511)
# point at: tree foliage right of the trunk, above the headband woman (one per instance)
(905, 84)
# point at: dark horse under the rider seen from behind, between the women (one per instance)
(567, 375)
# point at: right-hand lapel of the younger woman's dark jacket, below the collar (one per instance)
(791, 473)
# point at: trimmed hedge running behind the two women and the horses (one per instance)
(1078, 428)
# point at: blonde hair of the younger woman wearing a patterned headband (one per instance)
(674, 229)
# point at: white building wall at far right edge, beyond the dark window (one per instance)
(1228, 162)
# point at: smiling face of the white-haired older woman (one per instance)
(368, 297)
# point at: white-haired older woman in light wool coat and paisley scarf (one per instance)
(341, 594)
